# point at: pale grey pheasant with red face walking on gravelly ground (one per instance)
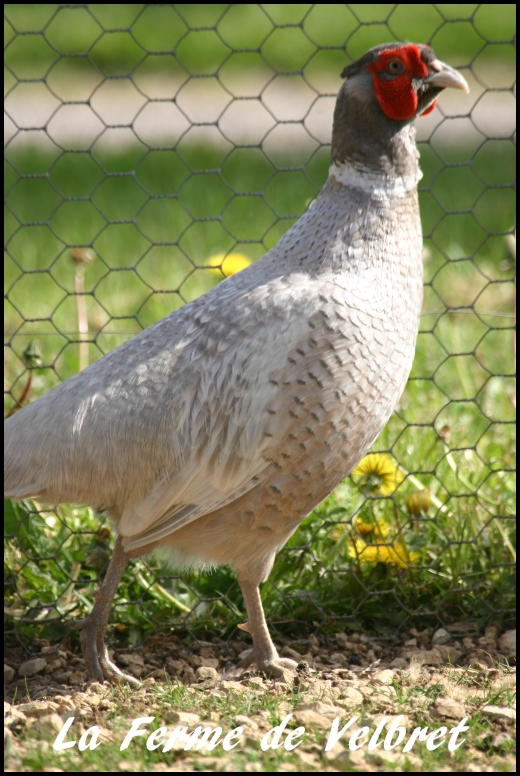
(214, 432)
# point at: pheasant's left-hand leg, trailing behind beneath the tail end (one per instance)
(94, 626)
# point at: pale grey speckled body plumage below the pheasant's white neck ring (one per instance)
(275, 382)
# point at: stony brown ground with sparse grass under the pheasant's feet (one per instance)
(351, 675)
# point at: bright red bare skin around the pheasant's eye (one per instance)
(397, 97)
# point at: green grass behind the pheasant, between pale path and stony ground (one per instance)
(453, 432)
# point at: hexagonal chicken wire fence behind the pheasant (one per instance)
(150, 151)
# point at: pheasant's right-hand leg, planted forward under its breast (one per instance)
(264, 654)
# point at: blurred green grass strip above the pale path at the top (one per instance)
(116, 40)
